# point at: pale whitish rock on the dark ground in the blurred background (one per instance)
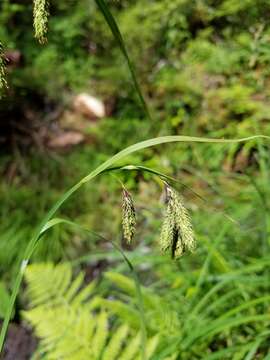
(89, 106)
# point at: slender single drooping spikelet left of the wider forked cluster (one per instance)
(128, 216)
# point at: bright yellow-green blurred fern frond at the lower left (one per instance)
(68, 324)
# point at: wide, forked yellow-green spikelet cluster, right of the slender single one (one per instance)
(177, 233)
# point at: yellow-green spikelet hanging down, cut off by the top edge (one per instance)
(41, 15)
